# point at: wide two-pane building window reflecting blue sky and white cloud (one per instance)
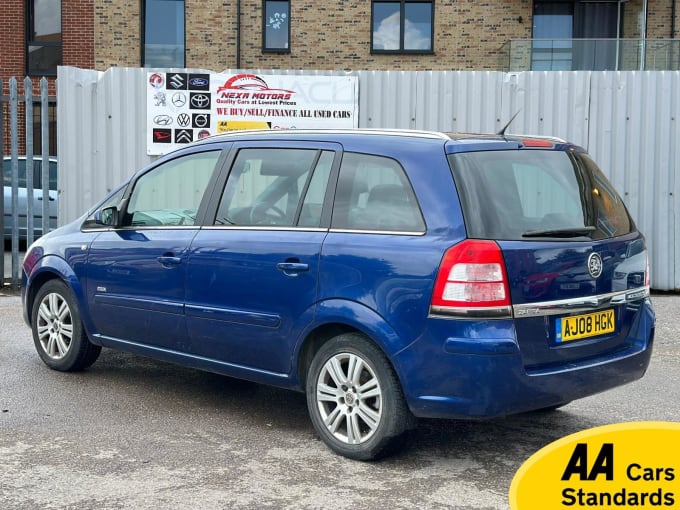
(404, 26)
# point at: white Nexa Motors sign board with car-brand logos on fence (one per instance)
(185, 107)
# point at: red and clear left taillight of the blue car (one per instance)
(471, 275)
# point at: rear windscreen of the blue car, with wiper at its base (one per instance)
(524, 194)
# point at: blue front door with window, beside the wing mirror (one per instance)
(136, 273)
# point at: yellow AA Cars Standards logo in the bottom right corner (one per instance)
(628, 465)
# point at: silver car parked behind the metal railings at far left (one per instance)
(19, 217)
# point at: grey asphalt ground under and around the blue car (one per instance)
(133, 433)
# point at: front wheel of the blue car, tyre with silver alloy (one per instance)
(58, 332)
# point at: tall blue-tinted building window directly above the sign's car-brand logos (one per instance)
(163, 33)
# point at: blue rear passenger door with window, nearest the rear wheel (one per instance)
(252, 276)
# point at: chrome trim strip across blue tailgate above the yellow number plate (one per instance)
(581, 304)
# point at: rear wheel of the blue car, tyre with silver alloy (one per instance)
(354, 398)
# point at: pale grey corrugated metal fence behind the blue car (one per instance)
(628, 121)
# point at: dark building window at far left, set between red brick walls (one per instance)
(43, 40)
